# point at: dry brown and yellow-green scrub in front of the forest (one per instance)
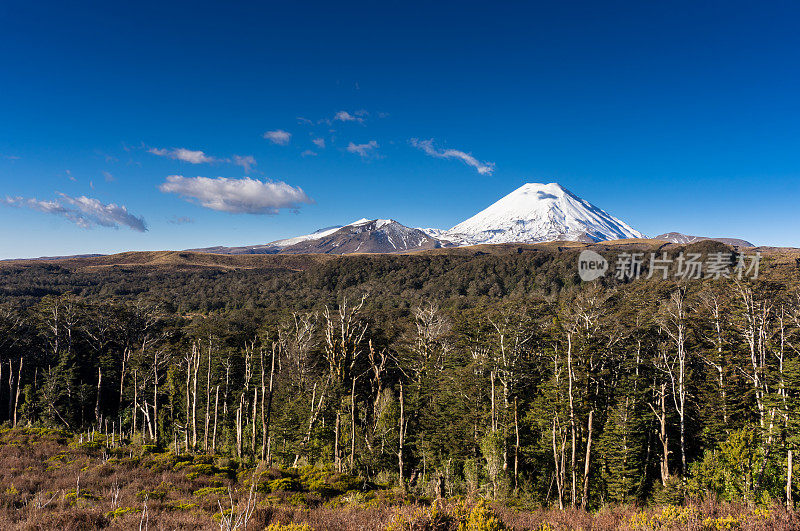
(56, 480)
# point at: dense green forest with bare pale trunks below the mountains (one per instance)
(495, 375)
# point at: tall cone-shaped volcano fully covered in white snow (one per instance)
(536, 213)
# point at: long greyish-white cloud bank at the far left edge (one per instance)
(86, 212)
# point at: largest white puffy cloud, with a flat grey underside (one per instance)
(238, 196)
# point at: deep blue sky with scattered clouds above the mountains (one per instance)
(671, 116)
